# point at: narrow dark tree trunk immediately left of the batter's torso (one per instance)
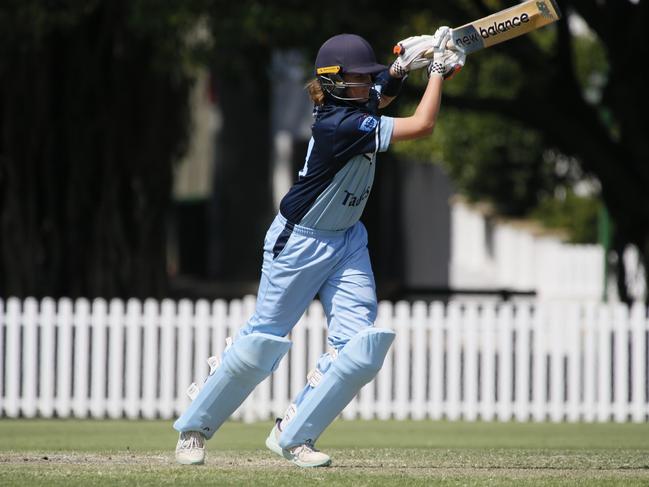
(241, 208)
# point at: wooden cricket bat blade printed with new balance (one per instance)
(505, 25)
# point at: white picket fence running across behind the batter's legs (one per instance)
(524, 360)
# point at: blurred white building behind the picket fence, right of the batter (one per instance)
(489, 253)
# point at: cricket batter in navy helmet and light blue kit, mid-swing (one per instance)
(317, 246)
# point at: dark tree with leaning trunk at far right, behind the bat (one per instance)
(586, 103)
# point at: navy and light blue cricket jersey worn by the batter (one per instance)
(336, 180)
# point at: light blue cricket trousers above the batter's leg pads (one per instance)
(300, 263)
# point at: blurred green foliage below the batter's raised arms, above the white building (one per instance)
(489, 158)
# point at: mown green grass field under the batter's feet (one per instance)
(120, 453)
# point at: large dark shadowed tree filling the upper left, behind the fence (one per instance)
(93, 112)
